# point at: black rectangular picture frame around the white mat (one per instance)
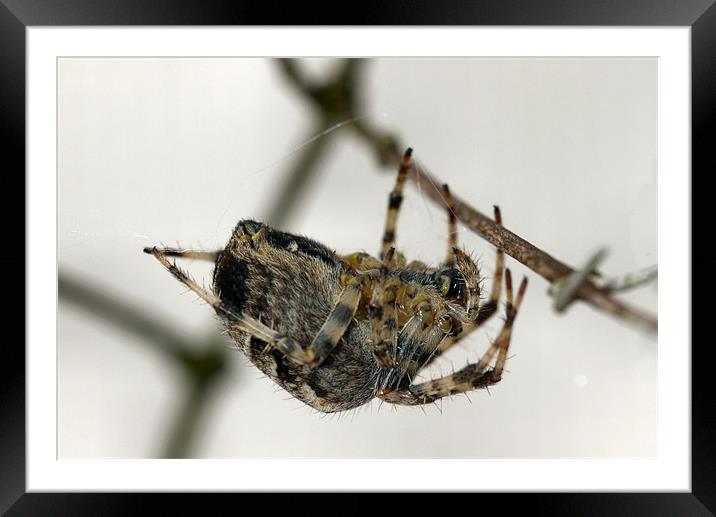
(17, 15)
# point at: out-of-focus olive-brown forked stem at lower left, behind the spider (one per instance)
(202, 360)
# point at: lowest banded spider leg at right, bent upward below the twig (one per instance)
(473, 376)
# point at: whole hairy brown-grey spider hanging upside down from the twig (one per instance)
(336, 331)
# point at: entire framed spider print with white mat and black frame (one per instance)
(286, 142)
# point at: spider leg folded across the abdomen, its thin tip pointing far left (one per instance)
(324, 342)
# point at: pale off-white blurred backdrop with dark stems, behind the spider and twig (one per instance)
(176, 151)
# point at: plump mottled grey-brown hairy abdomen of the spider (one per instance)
(291, 284)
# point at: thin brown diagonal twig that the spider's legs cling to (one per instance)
(389, 151)
